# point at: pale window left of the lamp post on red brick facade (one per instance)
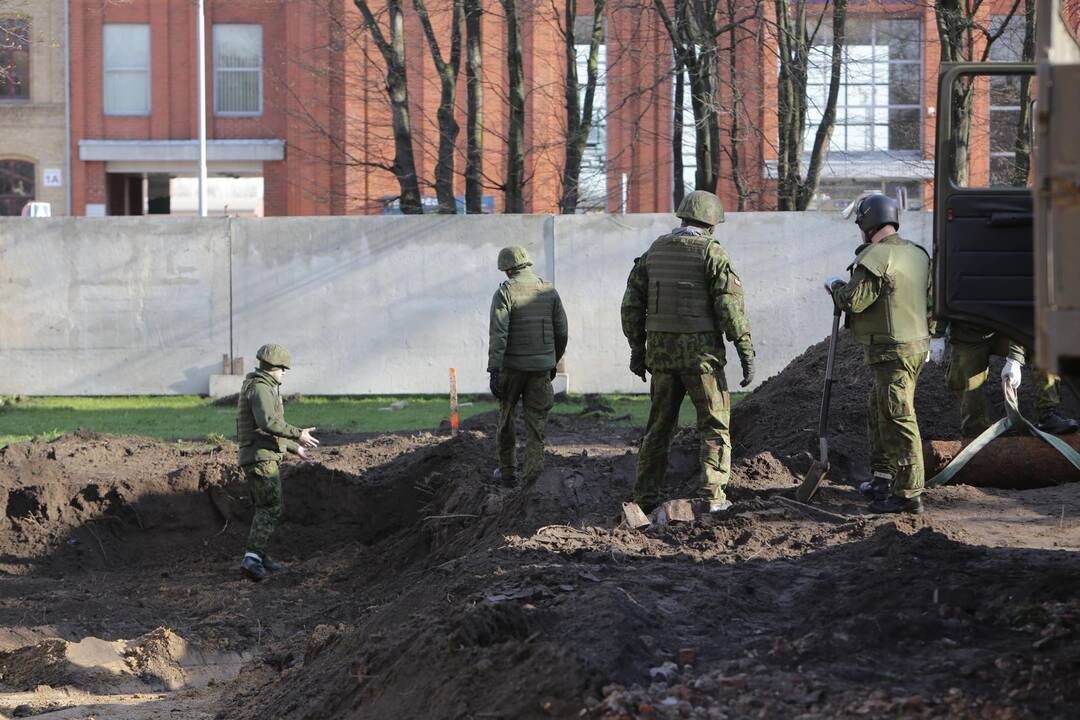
(127, 70)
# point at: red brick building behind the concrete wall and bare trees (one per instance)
(296, 98)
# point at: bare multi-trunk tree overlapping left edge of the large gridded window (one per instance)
(795, 40)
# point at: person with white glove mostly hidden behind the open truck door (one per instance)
(970, 350)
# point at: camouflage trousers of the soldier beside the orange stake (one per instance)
(534, 391)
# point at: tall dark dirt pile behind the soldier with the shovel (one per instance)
(781, 416)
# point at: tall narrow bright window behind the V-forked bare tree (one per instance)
(592, 184)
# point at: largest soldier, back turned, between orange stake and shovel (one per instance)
(683, 298)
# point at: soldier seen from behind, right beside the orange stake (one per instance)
(526, 339)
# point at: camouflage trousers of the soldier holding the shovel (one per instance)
(896, 443)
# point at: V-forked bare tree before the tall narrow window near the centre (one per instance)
(579, 112)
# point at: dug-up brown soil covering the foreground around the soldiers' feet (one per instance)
(416, 589)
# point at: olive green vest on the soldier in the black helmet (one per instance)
(899, 316)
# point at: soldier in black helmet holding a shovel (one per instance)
(888, 304)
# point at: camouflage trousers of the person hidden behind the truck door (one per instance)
(968, 370)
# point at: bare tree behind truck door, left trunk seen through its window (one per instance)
(966, 39)
